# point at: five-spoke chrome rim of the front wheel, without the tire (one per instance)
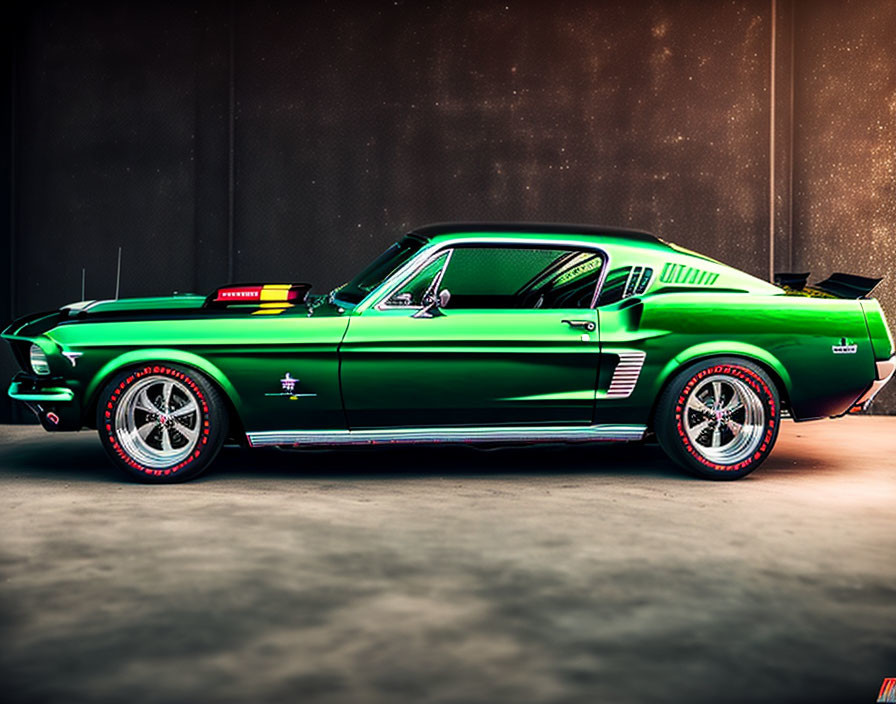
(158, 421)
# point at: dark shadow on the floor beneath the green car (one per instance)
(79, 457)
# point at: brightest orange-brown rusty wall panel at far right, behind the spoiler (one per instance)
(845, 146)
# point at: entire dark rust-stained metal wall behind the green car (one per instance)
(352, 122)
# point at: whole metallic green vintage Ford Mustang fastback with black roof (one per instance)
(465, 333)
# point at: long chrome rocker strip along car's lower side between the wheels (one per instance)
(601, 433)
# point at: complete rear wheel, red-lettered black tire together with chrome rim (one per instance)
(719, 418)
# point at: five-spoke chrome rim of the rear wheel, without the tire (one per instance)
(724, 419)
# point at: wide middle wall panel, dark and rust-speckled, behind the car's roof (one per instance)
(355, 124)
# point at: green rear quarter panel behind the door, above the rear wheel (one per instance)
(792, 337)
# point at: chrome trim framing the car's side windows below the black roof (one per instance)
(426, 255)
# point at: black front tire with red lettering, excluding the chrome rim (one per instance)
(212, 422)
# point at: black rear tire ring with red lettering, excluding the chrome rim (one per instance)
(671, 412)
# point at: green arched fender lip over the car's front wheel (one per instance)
(172, 356)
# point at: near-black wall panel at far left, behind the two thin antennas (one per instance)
(106, 151)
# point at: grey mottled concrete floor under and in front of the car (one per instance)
(450, 575)
